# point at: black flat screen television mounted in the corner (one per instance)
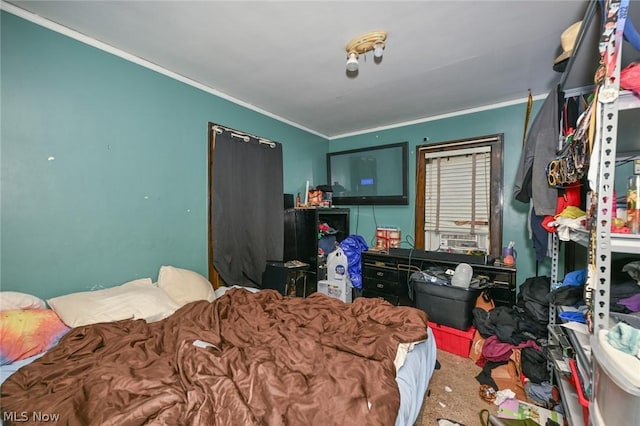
(370, 176)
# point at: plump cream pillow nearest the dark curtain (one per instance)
(184, 286)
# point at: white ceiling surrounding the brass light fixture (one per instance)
(287, 58)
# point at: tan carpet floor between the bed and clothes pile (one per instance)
(453, 393)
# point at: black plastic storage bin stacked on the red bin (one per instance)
(445, 304)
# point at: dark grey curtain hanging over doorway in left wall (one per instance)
(246, 205)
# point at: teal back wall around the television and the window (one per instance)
(508, 120)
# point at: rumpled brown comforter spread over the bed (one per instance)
(276, 361)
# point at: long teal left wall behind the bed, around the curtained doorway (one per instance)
(126, 189)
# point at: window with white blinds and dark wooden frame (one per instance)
(459, 189)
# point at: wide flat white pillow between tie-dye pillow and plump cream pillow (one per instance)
(138, 299)
